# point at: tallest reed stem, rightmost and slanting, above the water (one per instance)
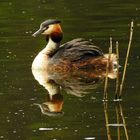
(126, 60)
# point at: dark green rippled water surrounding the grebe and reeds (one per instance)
(84, 118)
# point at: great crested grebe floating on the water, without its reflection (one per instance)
(74, 55)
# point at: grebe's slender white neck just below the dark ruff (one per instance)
(50, 48)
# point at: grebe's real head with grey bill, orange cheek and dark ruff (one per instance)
(50, 28)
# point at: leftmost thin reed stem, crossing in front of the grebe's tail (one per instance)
(107, 69)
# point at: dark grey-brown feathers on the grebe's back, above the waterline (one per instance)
(77, 50)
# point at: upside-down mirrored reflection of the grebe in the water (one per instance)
(77, 83)
